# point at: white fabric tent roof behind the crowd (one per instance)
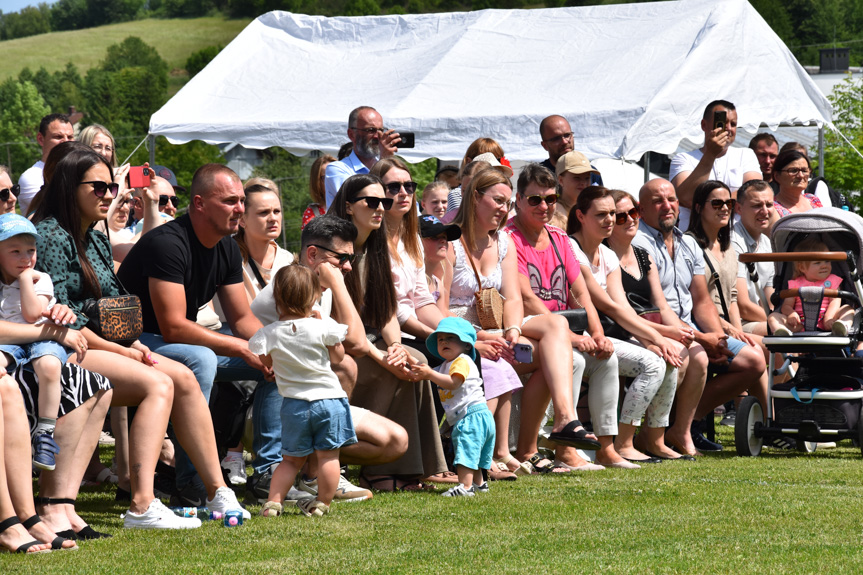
(630, 78)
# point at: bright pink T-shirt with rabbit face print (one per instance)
(543, 268)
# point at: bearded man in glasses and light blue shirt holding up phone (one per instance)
(371, 141)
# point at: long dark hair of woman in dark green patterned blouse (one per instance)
(60, 200)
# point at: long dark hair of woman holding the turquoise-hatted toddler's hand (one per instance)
(376, 300)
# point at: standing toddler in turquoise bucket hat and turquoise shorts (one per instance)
(463, 400)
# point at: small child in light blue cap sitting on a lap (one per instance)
(25, 296)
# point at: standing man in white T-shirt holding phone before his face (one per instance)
(715, 160)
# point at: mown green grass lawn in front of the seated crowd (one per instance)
(779, 513)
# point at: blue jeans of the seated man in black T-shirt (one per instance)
(208, 368)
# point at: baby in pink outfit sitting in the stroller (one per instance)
(833, 316)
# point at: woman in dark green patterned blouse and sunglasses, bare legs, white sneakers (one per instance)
(78, 259)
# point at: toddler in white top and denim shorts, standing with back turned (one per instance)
(316, 416)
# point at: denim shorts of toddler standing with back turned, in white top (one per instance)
(320, 425)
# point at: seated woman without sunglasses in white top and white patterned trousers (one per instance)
(653, 367)
